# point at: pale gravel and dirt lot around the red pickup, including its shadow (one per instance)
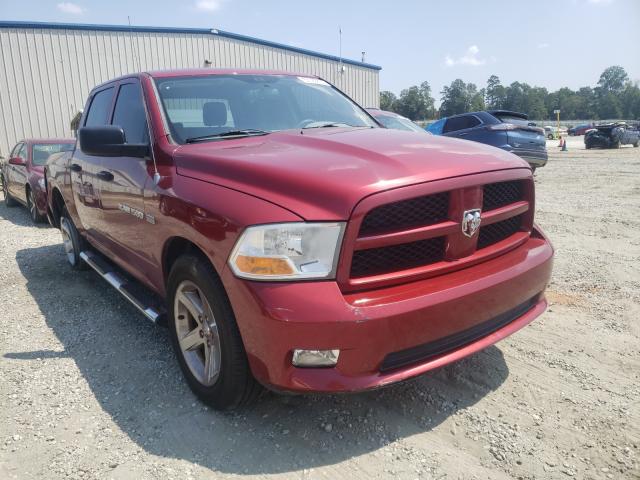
(90, 389)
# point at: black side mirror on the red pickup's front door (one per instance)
(109, 141)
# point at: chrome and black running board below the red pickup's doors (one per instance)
(139, 296)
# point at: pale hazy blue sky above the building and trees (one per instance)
(547, 43)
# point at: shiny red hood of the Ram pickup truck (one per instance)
(321, 174)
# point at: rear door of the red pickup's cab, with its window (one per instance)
(84, 168)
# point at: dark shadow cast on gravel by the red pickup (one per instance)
(132, 372)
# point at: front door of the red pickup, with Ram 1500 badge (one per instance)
(123, 180)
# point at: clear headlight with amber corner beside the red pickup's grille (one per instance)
(288, 251)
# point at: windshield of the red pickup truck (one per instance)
(207, 107)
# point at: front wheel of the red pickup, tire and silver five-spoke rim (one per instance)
(205, 336)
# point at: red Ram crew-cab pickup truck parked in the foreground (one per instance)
(288, 241)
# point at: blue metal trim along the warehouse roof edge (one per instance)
(201, 31)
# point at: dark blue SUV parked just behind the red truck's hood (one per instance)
(510, 131)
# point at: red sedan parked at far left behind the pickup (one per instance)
(22, 175)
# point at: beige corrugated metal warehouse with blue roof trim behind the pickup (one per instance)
(48, 69)
